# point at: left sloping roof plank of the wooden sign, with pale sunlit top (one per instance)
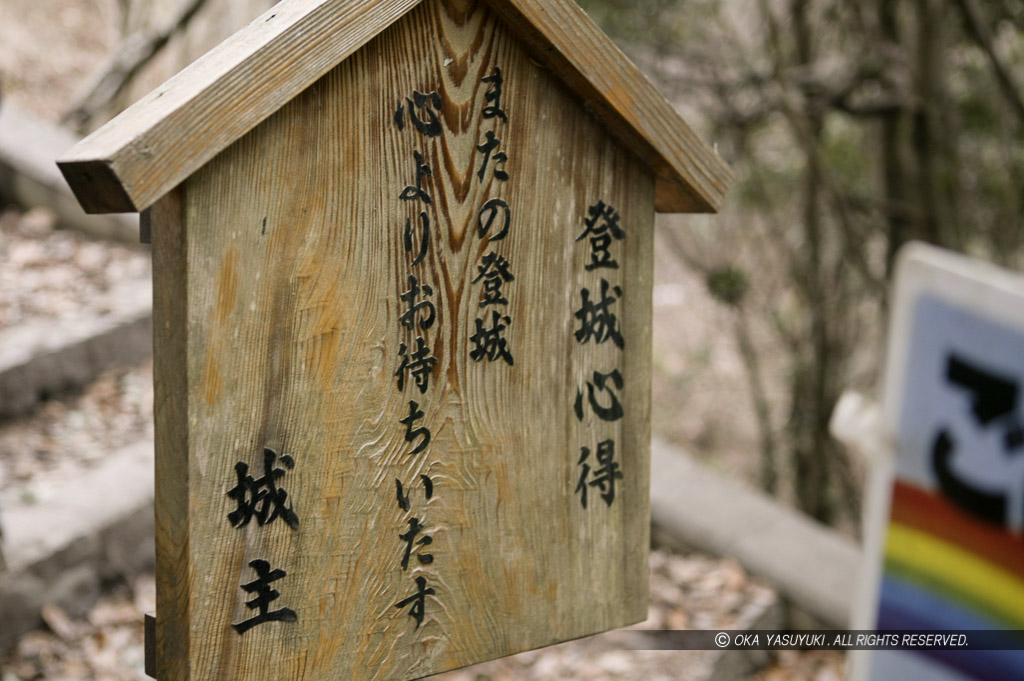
(166, 137)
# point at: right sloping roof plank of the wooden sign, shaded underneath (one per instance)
(692, 178)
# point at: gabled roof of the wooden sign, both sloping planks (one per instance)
(169, 135)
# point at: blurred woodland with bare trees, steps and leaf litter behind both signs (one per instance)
(852, 129)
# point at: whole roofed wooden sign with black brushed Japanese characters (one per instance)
(403, 338)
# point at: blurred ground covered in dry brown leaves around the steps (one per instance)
(47, 52)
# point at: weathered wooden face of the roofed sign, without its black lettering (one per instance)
(280, 270)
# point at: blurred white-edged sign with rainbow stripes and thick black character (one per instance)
(946, 549)
